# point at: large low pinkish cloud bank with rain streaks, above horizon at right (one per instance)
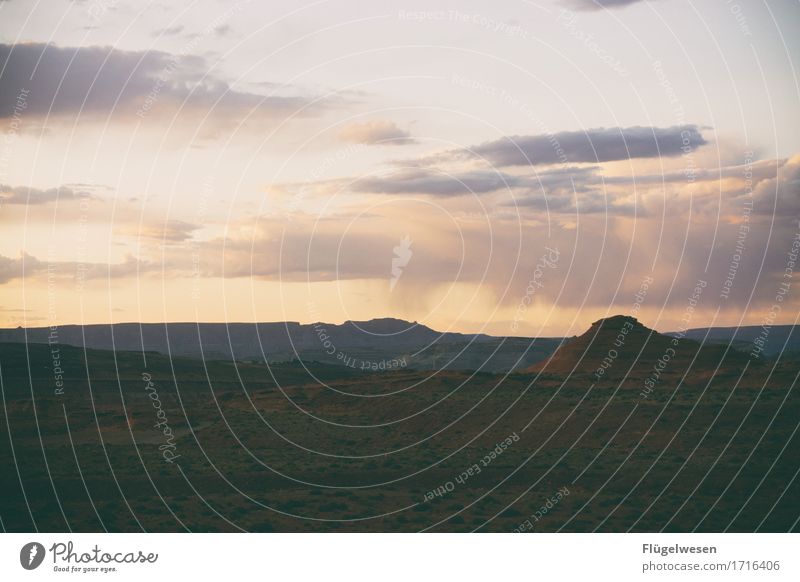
(494, 252)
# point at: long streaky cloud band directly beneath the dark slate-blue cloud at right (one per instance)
(613, 190)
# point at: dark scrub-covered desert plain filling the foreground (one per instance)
(95, 440)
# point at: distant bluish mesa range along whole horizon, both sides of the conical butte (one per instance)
(383, 344)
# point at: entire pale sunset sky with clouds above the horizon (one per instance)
(514, 168)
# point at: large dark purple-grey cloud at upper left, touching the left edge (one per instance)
(68, 81)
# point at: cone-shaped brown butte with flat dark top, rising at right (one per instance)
(620, 346)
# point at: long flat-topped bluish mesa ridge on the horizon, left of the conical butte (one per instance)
(374, 345)
